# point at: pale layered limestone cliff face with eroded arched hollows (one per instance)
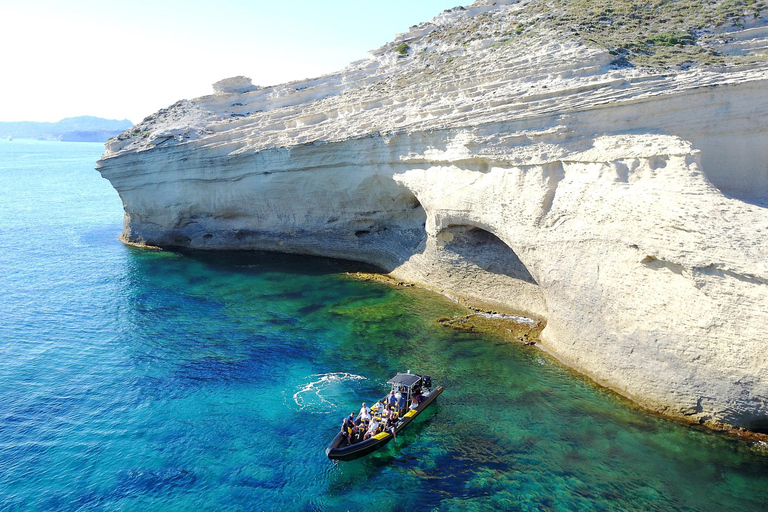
(625, 206)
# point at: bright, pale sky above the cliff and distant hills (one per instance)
(128, 59)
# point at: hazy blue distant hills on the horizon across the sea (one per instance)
(73, 129)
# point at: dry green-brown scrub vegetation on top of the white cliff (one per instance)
(651, 33)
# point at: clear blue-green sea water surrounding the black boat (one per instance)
(143, 380)
